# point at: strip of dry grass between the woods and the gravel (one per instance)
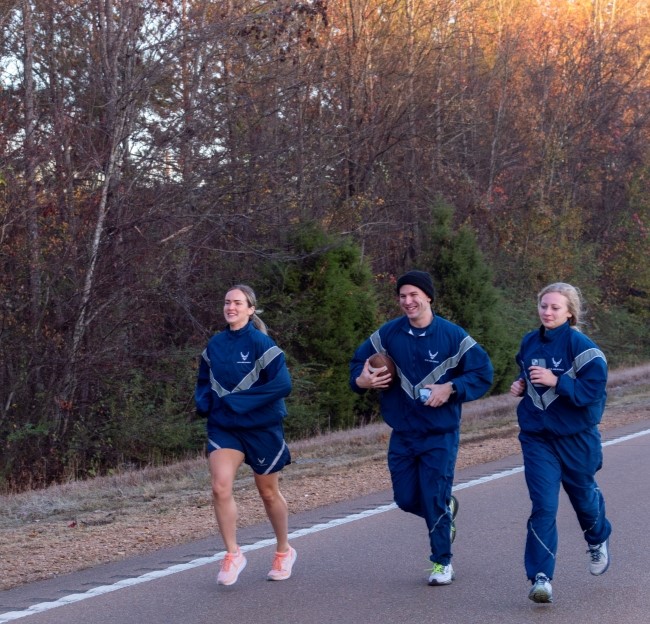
(489, 418)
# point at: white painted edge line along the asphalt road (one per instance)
(196, 563)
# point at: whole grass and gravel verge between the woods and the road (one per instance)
(76, 525)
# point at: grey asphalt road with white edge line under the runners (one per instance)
(365, 562)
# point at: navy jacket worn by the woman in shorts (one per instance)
(242, 380)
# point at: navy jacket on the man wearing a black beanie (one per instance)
(439, 353)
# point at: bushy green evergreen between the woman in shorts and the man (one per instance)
(324, 306)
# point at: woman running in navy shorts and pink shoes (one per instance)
(241, 385)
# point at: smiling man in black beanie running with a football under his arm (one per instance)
(438, 367)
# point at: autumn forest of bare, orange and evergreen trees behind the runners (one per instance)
(153, 153)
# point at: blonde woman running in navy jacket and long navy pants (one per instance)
(563, 384)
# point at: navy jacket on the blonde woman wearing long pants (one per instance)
(578, 401)
